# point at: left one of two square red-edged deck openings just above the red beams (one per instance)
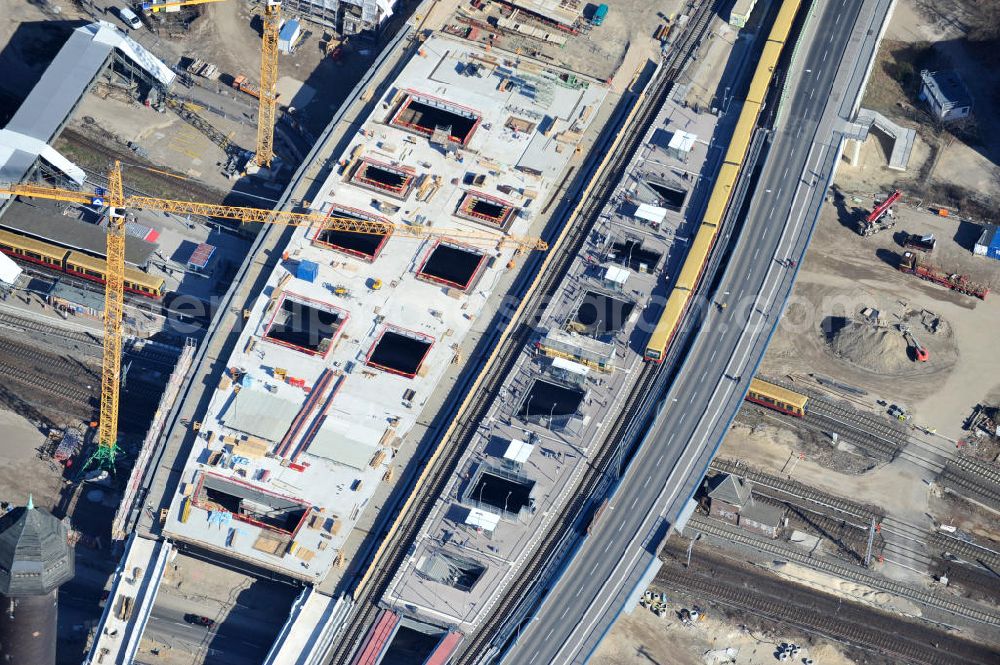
(305, 325)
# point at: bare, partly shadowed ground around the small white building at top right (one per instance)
(955, 165)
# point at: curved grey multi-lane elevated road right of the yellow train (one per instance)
(704, 397)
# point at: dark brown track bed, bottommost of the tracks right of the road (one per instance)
(826, 616)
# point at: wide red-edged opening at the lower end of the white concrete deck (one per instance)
(250, 504)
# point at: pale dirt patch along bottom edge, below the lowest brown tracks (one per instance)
(642, 638)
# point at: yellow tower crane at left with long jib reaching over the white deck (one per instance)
(116, 201)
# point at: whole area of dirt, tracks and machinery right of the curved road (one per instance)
(884, 495)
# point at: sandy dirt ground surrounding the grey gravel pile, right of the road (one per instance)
(861, 273)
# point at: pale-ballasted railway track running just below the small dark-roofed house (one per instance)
(962, 609)
